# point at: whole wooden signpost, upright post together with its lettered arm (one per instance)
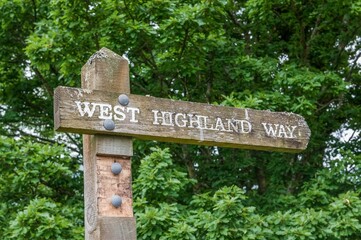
(105, 109)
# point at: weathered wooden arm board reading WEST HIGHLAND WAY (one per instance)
(84, 111)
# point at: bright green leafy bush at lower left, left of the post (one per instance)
(40, 190)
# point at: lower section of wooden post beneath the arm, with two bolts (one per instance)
(102, 220)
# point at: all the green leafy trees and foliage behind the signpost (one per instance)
(299, 56)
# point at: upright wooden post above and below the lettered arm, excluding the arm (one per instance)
(109, 72)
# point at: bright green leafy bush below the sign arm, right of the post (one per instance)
(318, 213)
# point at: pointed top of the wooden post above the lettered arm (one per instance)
(106, 71)
